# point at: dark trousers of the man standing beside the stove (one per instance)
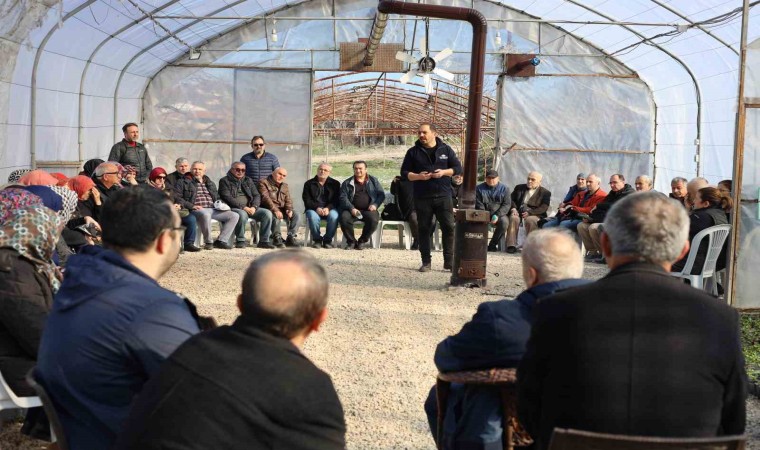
(443, 210)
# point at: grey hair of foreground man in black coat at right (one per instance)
(648, 225)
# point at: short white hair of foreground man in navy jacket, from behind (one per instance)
(554, 254)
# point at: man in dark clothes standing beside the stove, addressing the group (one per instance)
(430, 164)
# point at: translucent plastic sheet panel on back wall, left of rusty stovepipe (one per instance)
(222, 109)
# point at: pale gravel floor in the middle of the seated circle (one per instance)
(385, 319)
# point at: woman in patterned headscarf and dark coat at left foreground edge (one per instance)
(28, 280)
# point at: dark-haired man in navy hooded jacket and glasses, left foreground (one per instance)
(112, 325)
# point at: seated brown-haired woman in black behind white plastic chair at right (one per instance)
(711, 208)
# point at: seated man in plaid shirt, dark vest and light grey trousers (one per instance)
(198, 193)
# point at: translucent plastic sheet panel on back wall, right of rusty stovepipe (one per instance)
(609, 121)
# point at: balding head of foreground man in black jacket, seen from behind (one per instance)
(284, 309)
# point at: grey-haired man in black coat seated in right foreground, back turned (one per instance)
(637, 352)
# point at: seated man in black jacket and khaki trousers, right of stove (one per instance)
(530, 202)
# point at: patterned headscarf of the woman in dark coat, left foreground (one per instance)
(33, 232)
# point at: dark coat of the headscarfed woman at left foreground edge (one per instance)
(25, 300)
